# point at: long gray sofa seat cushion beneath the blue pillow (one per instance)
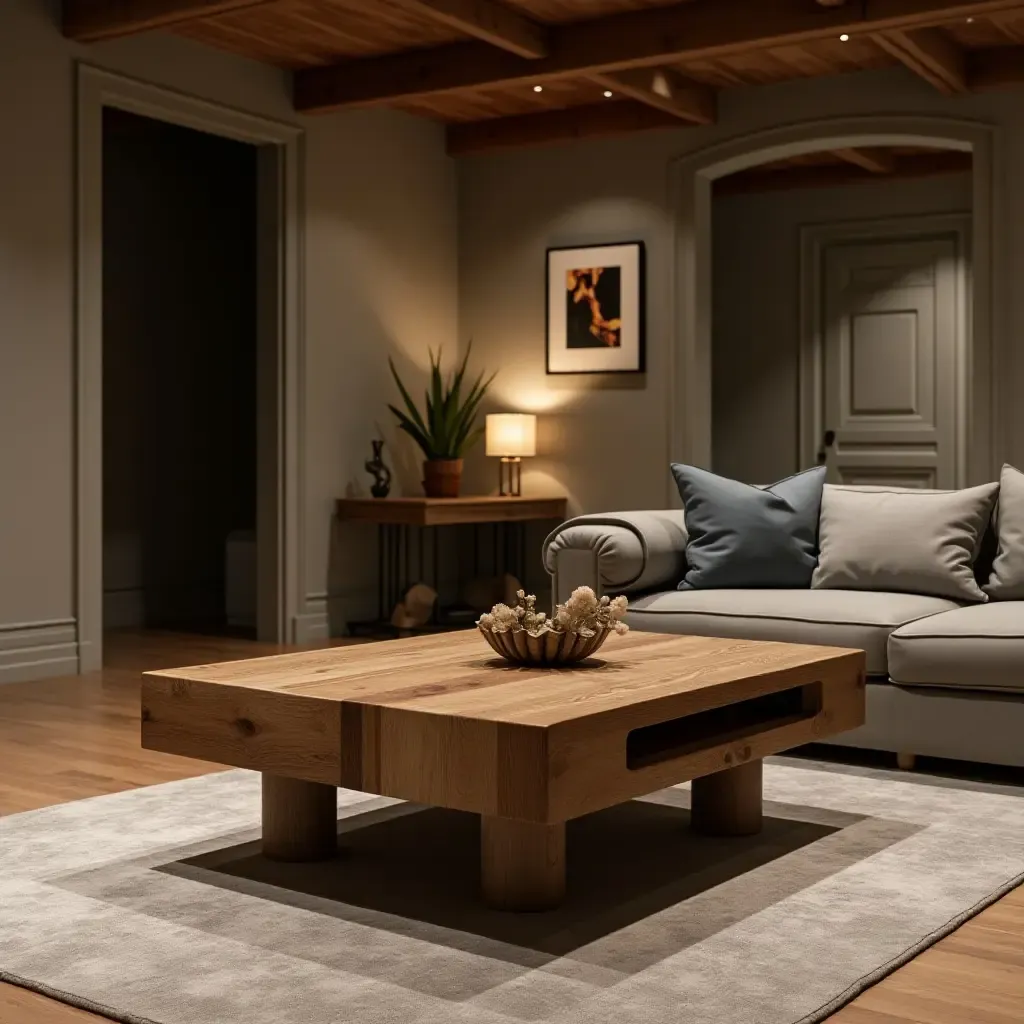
(840, 618)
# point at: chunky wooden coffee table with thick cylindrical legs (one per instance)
(440, 721)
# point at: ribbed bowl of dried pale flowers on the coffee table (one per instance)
(576, 631)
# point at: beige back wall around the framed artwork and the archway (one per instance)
(610, 447)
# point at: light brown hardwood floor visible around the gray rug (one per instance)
(68, 739)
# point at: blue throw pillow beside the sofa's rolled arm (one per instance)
(742, 536)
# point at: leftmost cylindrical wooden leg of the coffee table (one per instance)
(301, 820)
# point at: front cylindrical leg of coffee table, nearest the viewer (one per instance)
(523, 864)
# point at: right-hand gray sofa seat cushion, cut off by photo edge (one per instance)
(980, 648)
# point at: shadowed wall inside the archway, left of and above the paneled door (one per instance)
(756, 312)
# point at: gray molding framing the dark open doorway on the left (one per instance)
(97, 90)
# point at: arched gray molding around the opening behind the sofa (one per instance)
(690, 413)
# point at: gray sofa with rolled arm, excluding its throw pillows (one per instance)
(947, 678)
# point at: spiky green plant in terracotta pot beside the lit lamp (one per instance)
(446, 430)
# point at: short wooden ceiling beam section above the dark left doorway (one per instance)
(93, 21)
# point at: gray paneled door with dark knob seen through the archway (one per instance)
(890, 333)
